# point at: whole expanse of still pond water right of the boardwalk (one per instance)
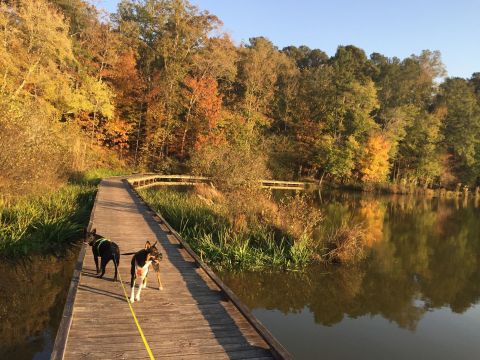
(416, 294)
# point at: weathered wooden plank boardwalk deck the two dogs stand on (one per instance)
(195, 317)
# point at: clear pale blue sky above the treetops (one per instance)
(391, 27)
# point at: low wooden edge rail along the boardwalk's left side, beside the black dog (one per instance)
(60, 344)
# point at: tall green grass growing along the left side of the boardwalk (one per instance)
(48, 223)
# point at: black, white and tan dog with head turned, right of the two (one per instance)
(141, 262)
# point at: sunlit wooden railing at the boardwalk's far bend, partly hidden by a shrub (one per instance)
(179, 180)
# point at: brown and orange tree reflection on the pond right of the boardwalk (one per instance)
(423, 260)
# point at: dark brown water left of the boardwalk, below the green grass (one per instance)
(32, 295)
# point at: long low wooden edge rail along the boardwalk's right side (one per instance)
(278, 350)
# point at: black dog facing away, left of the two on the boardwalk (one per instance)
(106, 249)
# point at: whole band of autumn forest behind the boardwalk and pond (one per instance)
(160, 86)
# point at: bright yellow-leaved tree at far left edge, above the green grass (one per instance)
(35, 90)
